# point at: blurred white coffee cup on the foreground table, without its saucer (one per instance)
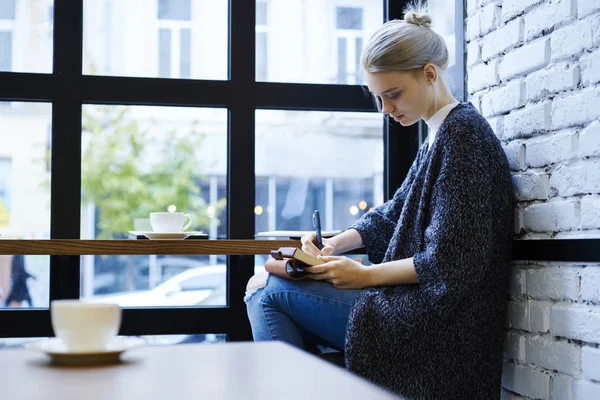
(85, 327)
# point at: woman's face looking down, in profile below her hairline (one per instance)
(405, 96)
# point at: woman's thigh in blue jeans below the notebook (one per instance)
(314, 306)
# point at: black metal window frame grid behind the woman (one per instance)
(67, 88)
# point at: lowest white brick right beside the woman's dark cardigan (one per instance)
(525, 381)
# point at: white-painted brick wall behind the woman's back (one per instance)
(533, 71)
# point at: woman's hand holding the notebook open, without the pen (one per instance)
(342, 272)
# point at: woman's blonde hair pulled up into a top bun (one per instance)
(404, 45)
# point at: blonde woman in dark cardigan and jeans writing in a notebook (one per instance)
(426, 319)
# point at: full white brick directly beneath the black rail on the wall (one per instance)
(553, 283)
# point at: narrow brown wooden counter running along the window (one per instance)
(127, 247)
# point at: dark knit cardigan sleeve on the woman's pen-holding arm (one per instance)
(377, 227)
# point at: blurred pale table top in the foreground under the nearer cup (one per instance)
(243, 370)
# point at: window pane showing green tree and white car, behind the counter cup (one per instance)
(136, 160)
